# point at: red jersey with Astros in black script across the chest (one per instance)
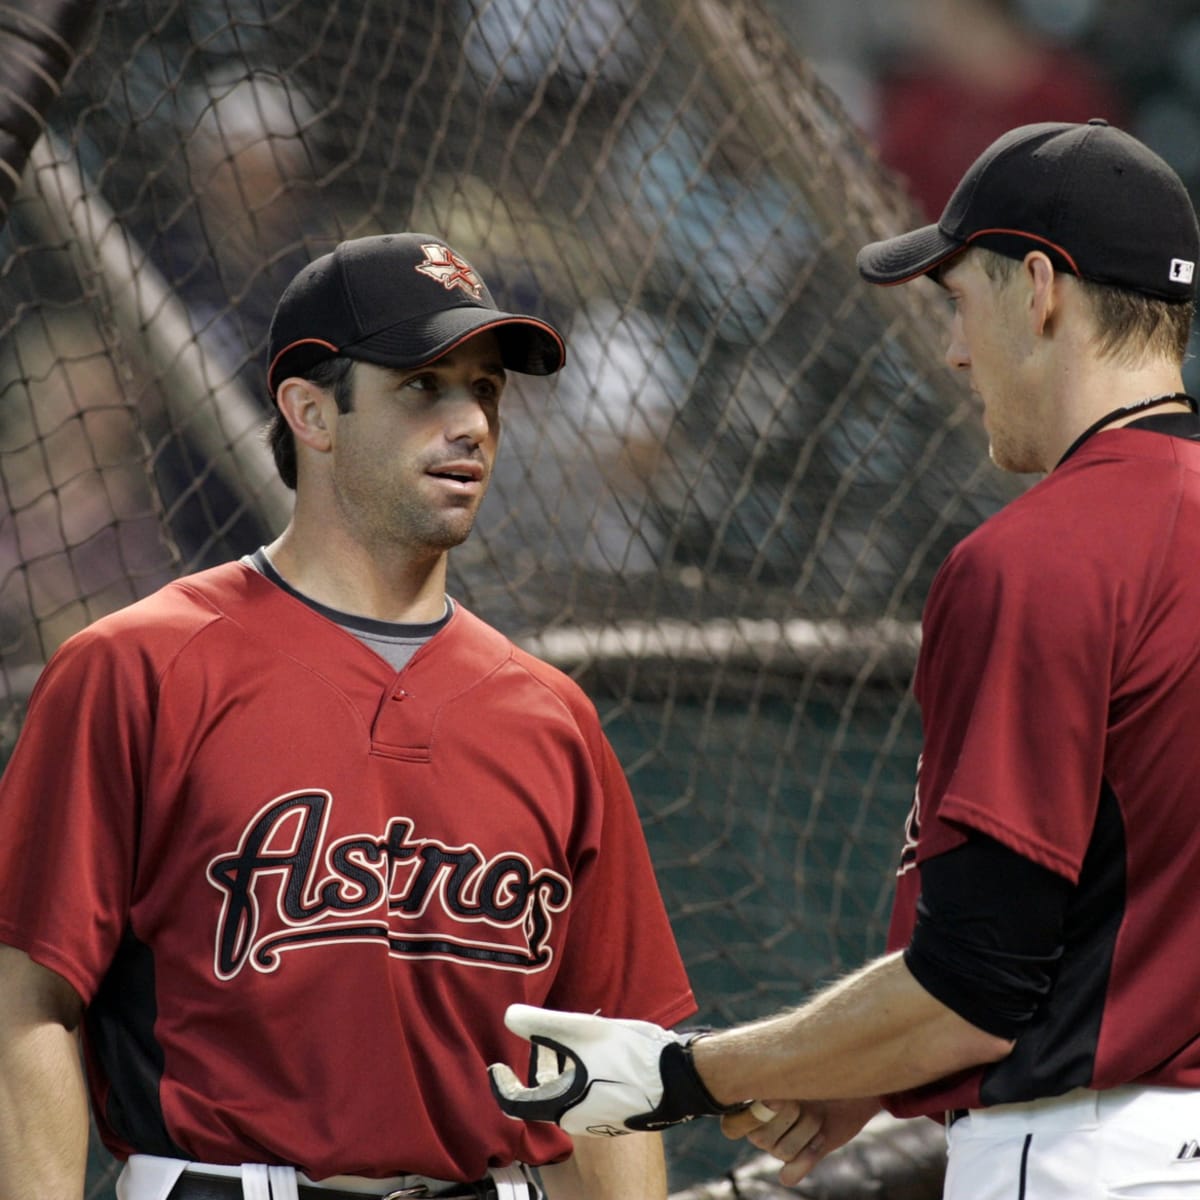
(298, 891)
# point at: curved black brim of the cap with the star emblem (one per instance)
(527, 345)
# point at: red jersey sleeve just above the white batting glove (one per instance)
(621, 957)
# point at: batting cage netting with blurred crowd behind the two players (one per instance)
(722, 518)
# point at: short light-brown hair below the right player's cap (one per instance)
(1129, 325)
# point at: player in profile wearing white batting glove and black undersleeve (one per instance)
(1040, 994)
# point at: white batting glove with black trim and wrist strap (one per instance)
(620, 1077)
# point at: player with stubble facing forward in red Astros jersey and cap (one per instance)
(287, 838)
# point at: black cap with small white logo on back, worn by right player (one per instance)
(1100, 203)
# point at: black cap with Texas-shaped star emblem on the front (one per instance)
(398, 301)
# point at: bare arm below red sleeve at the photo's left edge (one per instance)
(44, 1108)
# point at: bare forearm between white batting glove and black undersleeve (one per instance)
(875, 1033)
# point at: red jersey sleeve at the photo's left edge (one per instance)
(69, 809)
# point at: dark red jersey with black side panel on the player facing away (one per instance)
(1060, 693)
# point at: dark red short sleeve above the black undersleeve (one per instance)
(1013, 687)
